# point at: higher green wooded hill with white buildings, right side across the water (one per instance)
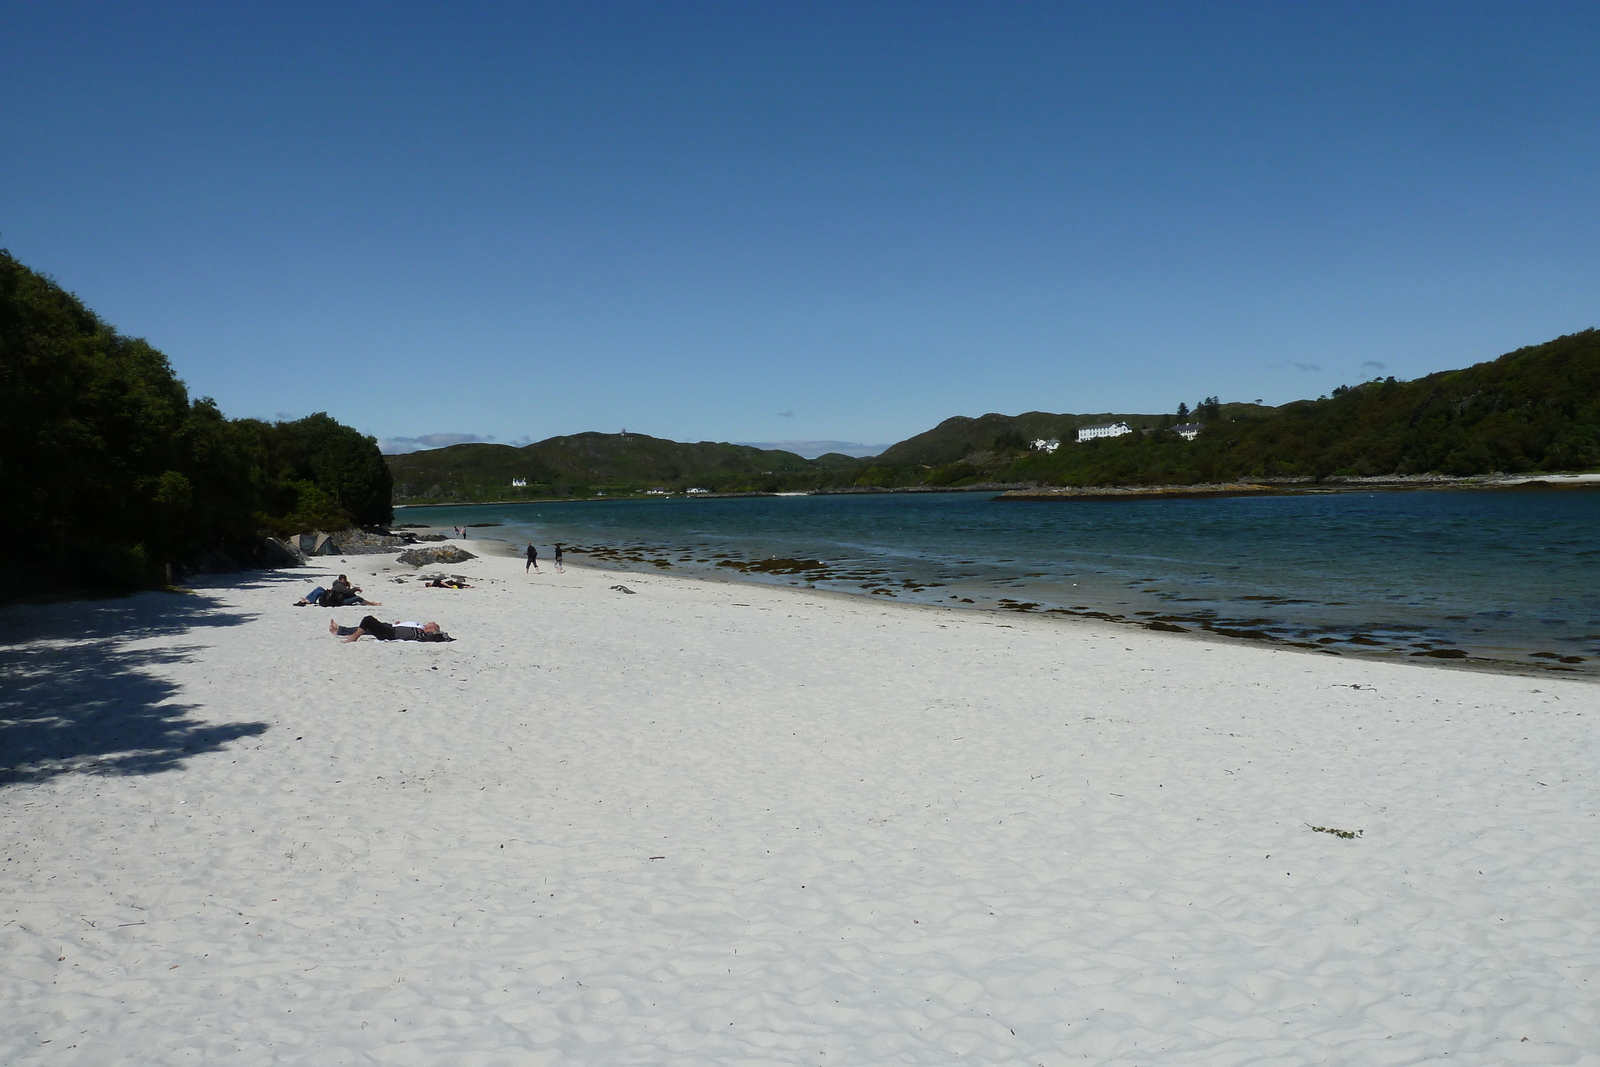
(1537, 409)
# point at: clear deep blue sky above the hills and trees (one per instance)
(769, 222)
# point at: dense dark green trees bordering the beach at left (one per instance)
(111, 471)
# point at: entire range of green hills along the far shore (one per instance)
(1537, 409)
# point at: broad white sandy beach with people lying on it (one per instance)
(734, 825)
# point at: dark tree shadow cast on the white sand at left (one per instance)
(74, 700)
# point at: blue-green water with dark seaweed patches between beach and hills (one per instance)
(1502, 575)
